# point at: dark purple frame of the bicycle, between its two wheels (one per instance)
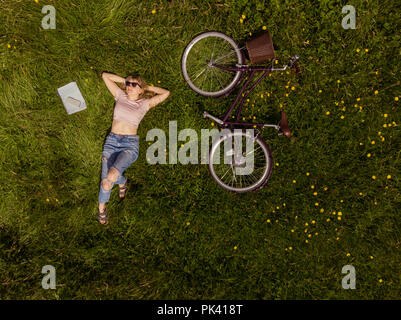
(244, 69)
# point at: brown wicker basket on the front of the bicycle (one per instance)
(260, 49)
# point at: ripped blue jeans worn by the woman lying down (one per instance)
(119, 152)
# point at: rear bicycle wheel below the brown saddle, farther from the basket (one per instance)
(238, 170)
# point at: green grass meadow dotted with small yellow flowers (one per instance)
(148, 251)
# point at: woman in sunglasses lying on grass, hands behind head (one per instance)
(121, 147)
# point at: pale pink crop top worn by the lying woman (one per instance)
(129, 111)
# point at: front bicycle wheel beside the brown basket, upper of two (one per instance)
(203, 50)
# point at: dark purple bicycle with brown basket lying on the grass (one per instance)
(213, 65)
